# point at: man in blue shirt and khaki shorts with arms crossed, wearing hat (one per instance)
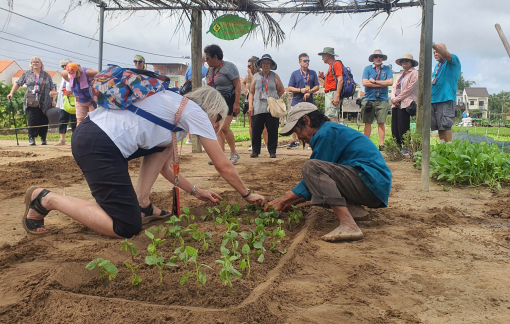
(376, 79)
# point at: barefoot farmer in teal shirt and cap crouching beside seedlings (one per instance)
(345, 170)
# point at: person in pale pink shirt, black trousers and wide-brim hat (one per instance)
(403, 98)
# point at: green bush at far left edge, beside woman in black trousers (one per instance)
(5, 106)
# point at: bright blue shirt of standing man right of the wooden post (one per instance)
(445, 88)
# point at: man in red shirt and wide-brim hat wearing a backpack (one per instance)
(333, 84)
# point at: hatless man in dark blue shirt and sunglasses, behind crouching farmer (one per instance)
(303, 84)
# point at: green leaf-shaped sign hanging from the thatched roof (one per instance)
(230, 27)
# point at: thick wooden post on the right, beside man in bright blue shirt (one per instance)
(426, 92)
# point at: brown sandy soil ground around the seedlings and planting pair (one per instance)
(431, 257)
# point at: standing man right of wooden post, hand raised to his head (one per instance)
(444, 91)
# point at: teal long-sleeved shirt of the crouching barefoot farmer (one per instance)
(343, 145)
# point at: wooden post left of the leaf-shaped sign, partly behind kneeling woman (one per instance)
(196, 63)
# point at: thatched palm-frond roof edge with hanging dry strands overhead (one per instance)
(259, 11)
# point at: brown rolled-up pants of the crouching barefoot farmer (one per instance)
(332, 184)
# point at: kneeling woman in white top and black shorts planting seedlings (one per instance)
(107, 139)
